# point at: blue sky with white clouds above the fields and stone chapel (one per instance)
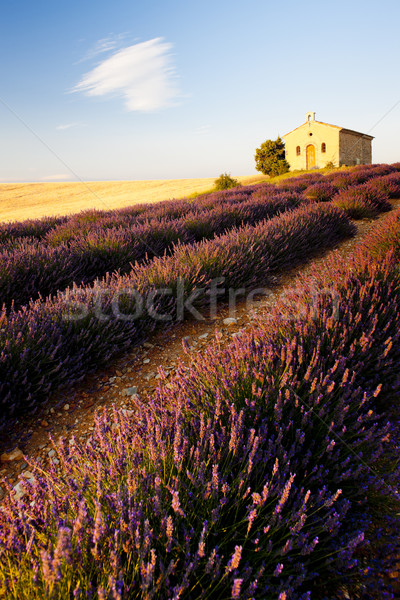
(168, 89)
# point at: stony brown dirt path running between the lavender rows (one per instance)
(71, 411)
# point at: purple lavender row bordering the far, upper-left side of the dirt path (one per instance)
(55, 342)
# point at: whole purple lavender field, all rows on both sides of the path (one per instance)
(268, 469)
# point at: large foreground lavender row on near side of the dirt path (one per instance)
(255, 474)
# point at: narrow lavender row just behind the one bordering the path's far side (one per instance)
(30, 268)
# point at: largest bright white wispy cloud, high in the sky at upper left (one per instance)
(142, 74)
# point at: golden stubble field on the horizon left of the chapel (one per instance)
(20, 201)
